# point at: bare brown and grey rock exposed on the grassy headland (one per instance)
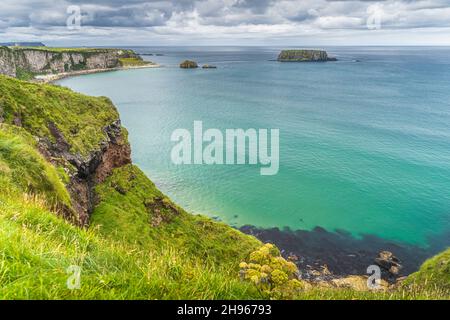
(114, 152)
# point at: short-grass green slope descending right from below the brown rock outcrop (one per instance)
(134, 211)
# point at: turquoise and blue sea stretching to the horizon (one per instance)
(364, 142)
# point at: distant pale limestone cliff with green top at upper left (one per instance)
(46, 61)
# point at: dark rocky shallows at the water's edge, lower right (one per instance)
(340, 253)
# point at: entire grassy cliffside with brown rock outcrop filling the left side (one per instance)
(66, 155)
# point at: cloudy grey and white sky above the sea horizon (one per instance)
(226, 22)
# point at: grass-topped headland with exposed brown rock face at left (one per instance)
(86, 140)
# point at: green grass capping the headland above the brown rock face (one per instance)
(81, 119)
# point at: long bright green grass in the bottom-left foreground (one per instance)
(38, 247)
